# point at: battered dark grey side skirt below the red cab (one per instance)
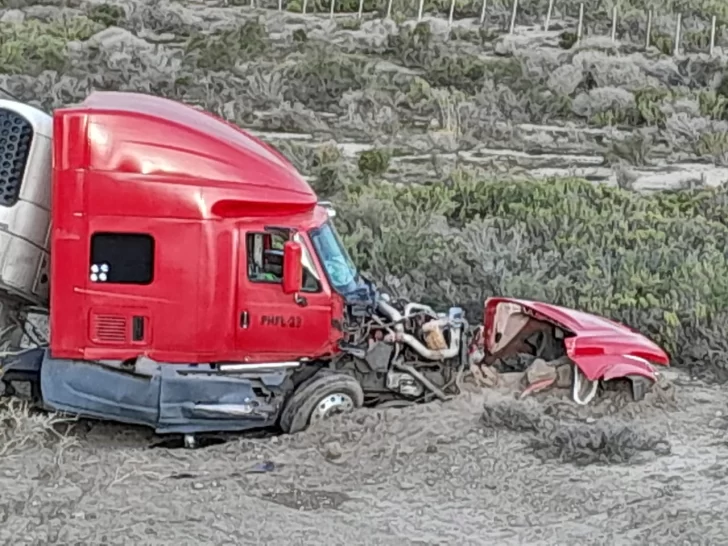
(167, 397)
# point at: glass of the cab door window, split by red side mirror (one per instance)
(265, 261)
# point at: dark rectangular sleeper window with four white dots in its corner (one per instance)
(122, 258)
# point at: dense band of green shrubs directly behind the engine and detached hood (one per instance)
(658, 263)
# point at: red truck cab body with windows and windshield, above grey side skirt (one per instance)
(169, 228)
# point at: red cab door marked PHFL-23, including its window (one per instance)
(272, 325)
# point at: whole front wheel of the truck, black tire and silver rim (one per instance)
(318, 398)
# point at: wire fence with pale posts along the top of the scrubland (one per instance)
(674, 34)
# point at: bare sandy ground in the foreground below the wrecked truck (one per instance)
(483, 469)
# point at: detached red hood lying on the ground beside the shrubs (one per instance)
(602, 348)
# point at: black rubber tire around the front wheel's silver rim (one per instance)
(299, 407)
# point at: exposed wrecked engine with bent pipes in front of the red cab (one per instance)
(404, 352)
